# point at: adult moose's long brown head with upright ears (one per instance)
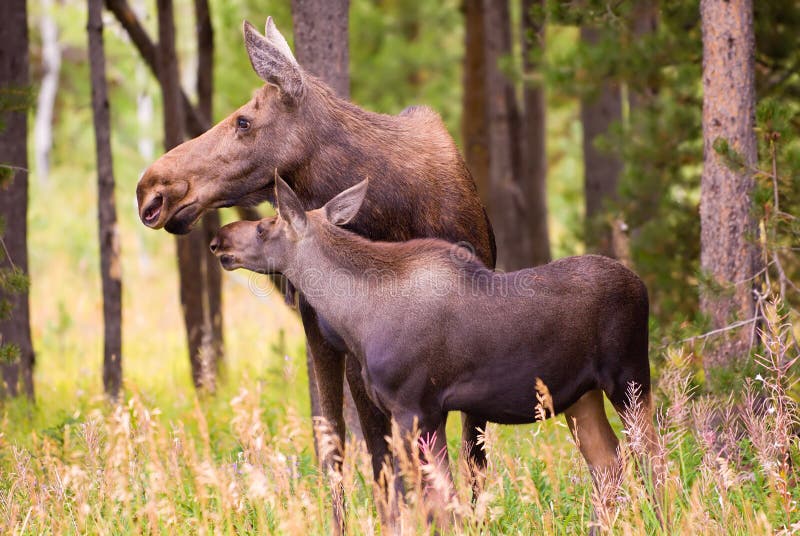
(233, 162)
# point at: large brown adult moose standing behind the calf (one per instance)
(321, 144)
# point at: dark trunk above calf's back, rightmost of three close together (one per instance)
(534, 158)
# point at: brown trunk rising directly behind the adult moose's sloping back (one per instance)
(473, 123)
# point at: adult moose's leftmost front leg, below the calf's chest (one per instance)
(328, 369)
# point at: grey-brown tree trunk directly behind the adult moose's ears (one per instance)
(321, 47)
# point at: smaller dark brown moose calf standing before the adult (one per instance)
(435, 331)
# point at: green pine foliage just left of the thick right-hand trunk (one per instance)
(658, 139)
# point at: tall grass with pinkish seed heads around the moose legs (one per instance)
(234, 464)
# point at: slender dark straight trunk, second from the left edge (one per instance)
(110, 267)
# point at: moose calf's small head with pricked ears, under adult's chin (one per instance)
(271, 245)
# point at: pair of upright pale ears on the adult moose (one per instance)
(273, 61)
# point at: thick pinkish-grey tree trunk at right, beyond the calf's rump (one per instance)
(729, 254)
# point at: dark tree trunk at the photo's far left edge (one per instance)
(14, 76)
